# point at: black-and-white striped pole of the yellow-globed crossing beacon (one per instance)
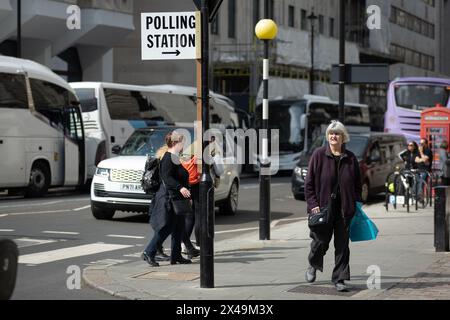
(264, 174)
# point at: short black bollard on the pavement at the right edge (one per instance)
(441, 218)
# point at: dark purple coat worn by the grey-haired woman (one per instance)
(321, 180)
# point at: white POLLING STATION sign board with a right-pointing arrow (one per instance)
(168, 35)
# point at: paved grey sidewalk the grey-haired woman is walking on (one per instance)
(246, 268)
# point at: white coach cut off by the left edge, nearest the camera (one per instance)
(41, 129)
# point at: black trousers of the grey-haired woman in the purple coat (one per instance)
(321, 238)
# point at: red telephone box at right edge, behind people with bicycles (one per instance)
(435, 126)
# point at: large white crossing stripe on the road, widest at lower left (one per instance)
(67, 253)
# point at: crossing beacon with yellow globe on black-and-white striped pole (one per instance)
(266, 29)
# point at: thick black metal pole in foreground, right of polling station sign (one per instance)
(206, 185)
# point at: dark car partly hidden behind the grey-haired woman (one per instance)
(377, 154)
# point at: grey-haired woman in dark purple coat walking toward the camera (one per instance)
(333, 170)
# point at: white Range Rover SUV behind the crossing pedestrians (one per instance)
(117, 181)
